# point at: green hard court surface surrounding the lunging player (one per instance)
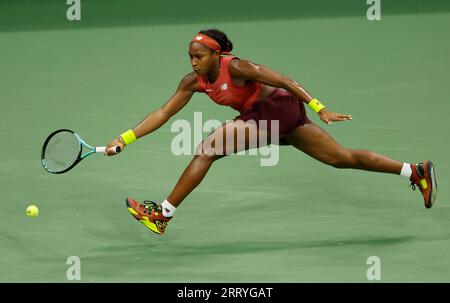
(298, 221)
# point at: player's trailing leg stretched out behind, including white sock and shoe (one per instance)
(317, 143)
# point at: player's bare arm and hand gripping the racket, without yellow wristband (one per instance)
(157, 118)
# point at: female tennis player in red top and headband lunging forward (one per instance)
(257, 93)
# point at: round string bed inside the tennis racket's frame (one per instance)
(61, 151)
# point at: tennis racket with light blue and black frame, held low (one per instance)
(64, 149)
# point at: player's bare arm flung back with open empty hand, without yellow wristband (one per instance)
(248, 70)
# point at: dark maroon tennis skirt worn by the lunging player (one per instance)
(279, 105)
